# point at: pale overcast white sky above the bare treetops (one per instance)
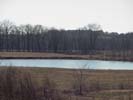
(112, 15)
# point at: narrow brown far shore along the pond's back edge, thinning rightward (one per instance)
(45, 55)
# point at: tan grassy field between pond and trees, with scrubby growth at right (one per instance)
(101, 55)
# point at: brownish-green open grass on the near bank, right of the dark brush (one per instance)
(100, 84)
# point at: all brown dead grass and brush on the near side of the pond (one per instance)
(64, 84)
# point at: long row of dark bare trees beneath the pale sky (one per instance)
(85, 40)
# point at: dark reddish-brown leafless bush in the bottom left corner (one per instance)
(16, 85)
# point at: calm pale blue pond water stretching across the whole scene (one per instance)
(59, 63)
